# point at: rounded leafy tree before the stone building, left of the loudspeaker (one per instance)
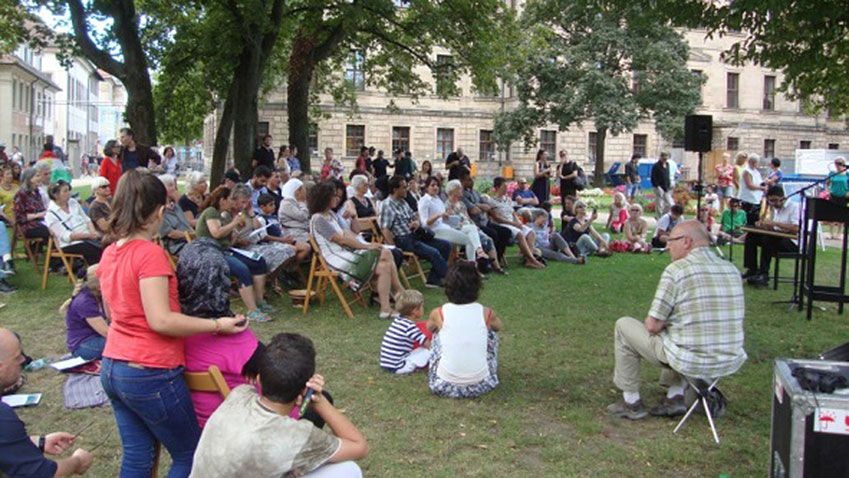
(608, 62)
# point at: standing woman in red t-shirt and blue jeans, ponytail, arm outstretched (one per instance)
(143, 361)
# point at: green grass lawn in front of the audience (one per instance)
(546, 418)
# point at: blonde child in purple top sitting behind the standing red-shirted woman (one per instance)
(85, 318)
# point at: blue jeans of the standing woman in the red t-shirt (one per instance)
(151, 405)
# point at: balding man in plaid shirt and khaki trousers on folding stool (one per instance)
(694, 327)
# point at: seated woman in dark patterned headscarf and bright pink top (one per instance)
(203, 284)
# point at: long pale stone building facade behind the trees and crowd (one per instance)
(748, 114)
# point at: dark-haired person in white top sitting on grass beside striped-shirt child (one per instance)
(464, 351)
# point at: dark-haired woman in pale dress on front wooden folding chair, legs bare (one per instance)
(357, 262)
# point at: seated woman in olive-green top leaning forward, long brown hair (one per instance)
(217, 222)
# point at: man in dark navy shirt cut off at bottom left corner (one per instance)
(23, 455)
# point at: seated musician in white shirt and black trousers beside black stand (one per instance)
(784, 218)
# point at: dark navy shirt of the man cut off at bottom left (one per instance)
(18, 455)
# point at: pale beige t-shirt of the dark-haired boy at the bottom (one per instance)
(243, 438)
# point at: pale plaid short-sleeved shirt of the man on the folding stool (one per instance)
(700, 297)
